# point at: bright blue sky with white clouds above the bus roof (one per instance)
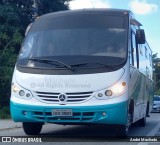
(147, 12)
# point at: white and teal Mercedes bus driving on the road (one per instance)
(90, 66)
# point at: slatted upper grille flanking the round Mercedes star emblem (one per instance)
(71, 97)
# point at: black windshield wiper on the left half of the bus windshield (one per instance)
(48, 61)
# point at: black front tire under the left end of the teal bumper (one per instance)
(31, 128)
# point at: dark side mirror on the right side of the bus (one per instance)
(140, 36)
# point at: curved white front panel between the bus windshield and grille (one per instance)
(68, 83)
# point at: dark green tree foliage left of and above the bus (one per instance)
(15, 15)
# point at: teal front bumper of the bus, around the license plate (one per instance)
(105, 114)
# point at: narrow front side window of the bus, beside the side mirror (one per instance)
(135, 53)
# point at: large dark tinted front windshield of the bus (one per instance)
(95, 37)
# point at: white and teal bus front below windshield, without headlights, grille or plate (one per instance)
(112, 106)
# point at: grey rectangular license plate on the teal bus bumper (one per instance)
(62, 112)
